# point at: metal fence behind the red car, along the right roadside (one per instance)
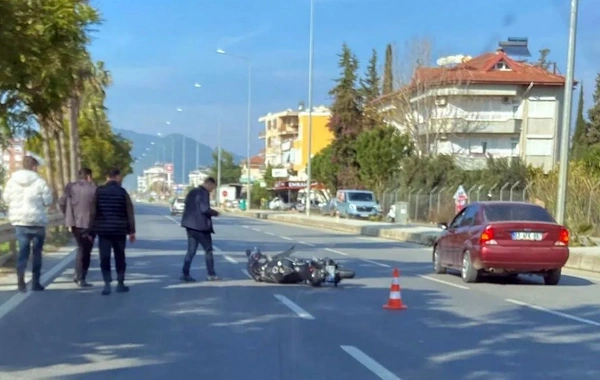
(436, 205)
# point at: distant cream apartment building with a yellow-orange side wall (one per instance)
(286, 138)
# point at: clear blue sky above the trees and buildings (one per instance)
(157, 49)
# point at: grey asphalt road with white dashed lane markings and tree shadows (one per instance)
(238, 329)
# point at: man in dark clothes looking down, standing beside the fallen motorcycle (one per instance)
(197, 220)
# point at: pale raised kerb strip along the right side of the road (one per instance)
(579, 260)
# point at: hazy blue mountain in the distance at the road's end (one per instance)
(149, 149)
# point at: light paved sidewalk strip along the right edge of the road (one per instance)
(581, 258)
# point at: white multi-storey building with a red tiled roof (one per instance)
(491, 105)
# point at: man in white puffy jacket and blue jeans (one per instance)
(27, 196)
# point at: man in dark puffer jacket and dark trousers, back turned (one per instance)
(112, 220)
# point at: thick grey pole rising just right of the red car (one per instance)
(563, 170)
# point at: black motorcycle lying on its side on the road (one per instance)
(283, 269)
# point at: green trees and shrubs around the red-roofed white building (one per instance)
(366, 153)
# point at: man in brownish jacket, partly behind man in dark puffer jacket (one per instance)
(76, 205)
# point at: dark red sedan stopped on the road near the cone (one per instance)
(502, 238)
